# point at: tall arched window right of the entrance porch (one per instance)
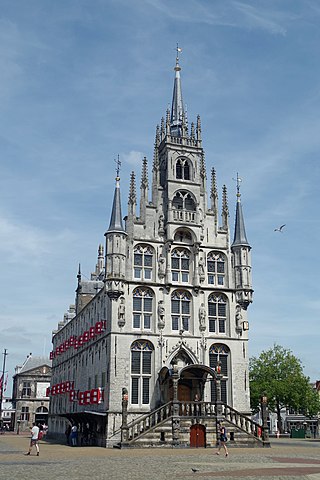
(220, 353)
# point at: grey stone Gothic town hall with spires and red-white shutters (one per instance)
(155, 349)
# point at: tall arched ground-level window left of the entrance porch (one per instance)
(141, 371)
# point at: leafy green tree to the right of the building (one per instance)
(279, 374)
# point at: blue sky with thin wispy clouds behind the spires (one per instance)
(83, 81)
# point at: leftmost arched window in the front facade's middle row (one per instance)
(142, 308)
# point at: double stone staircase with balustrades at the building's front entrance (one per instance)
(156, 428)
